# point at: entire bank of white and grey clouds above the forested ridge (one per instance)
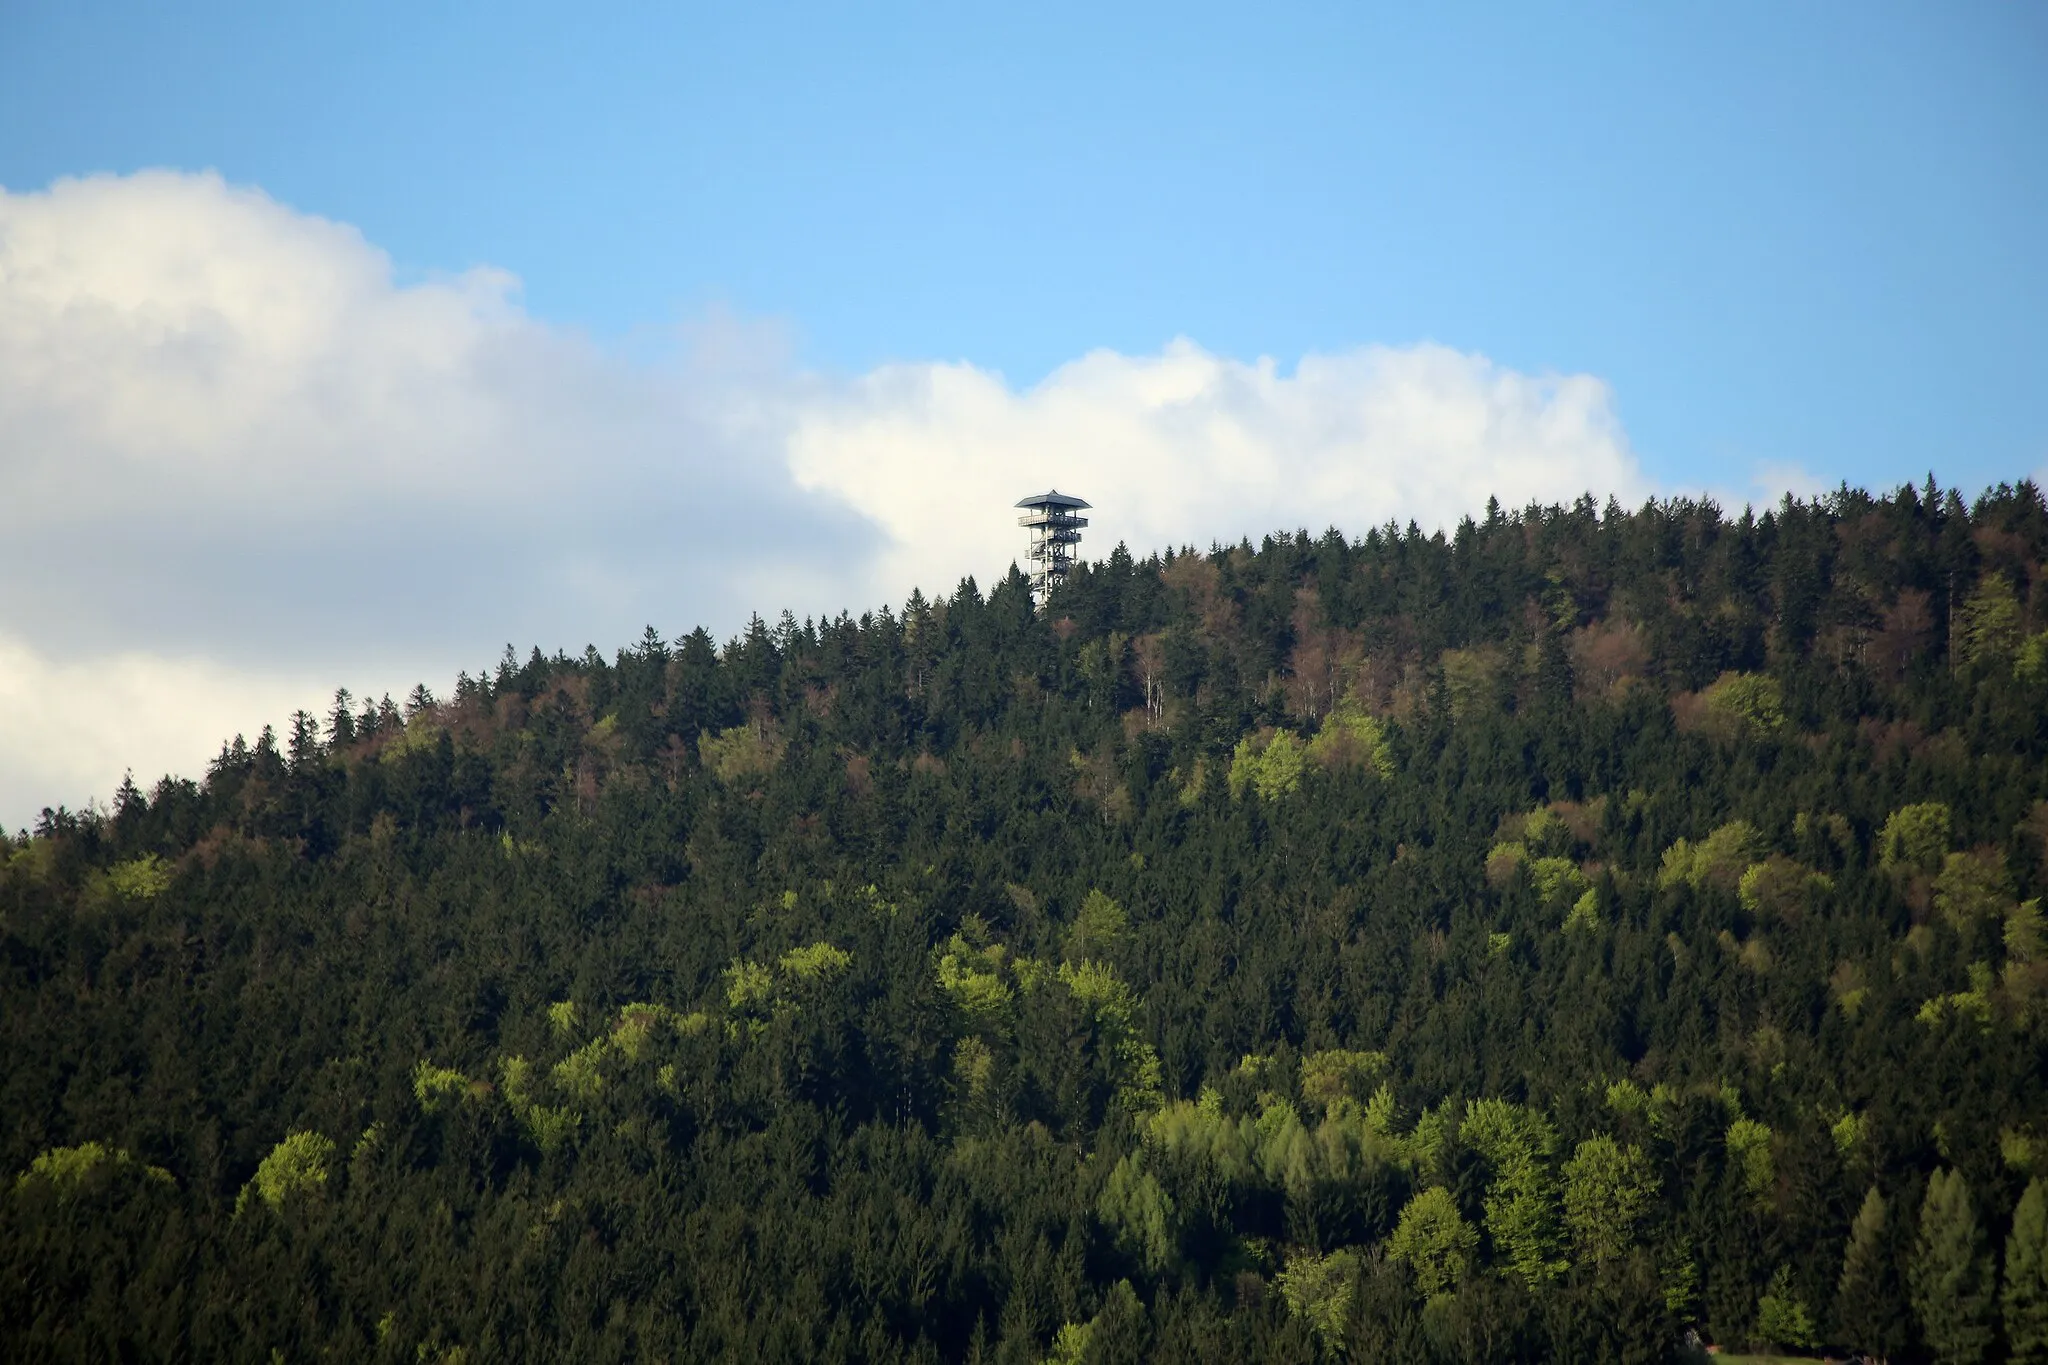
(247, 464)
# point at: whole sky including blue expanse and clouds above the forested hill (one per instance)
(343, 345)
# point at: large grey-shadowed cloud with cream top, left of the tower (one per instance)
(228, 431)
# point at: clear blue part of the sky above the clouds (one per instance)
(1785, 234)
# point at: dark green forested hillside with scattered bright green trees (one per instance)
(1586, 934)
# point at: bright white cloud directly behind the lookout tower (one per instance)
(1189, 447)
